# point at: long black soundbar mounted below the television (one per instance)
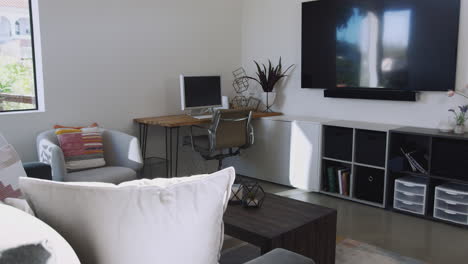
(372, 94)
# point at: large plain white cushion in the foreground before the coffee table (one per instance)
(166, 221)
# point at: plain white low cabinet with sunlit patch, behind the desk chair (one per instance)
(287, 151)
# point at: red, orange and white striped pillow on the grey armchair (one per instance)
(82, 147)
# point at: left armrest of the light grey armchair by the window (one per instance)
(50, 153)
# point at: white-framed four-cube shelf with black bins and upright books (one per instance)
(363, 148)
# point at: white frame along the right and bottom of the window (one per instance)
(36, 50)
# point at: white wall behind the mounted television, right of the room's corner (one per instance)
(272, 28)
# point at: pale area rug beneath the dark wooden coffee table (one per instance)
(347, 252)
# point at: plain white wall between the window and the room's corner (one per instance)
(110, 61)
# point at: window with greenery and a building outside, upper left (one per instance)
(18, 56)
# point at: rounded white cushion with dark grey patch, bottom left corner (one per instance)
(20, 230)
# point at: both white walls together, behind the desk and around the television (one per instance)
(110, 61)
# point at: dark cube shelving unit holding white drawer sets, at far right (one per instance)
(445, 157)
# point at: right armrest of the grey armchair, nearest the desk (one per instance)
(122, 150)
